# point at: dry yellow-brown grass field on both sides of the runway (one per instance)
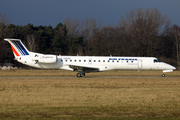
(89, 98)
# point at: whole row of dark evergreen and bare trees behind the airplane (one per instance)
(142, 32)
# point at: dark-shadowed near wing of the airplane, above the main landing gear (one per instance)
(84, 68)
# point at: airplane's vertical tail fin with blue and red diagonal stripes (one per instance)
(17, 47)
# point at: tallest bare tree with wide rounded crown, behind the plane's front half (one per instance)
(143, 25)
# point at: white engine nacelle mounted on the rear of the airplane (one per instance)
(45, 59)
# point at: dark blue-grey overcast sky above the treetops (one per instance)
(52, 12)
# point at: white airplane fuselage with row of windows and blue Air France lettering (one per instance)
(102, 63)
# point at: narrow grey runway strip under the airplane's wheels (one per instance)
(59, 77)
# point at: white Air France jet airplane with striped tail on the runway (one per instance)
(85, 64)
